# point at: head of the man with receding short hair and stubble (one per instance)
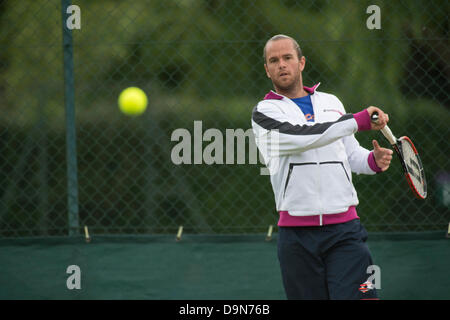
(282, 65)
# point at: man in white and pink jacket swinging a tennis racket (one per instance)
(322, 246)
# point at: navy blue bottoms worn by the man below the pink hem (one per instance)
(326, 262)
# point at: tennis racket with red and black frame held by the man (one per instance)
(409, 158)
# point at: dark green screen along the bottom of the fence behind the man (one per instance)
(202, 267)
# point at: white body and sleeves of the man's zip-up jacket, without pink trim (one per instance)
(310, 163)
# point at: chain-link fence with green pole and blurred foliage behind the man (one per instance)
(69, 158)
